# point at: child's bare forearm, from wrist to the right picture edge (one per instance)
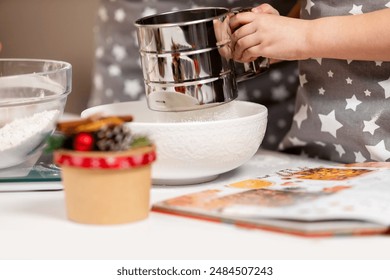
(355, 37)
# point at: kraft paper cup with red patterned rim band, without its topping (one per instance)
(107, 187)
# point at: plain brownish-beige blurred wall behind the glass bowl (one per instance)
(53, 29)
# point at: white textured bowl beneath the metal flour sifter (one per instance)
(195, 146)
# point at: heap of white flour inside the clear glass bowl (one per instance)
(22, 136)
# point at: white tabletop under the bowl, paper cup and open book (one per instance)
(33, 225)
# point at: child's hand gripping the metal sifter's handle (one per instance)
(263, 32)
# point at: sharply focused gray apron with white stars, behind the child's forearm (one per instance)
(342, 107)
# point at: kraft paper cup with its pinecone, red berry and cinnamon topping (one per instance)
(105, 169)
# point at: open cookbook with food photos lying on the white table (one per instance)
(315, 201)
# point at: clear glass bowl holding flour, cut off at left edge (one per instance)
(33, 94)
